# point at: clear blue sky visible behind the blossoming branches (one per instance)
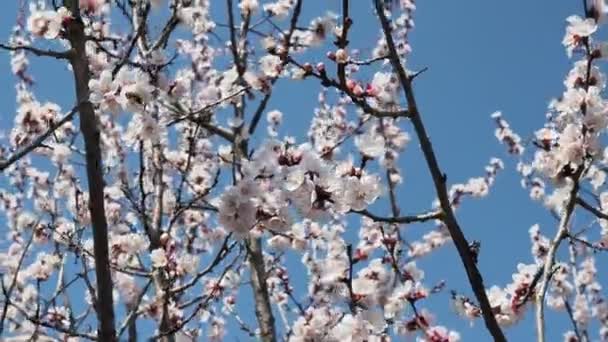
(482, 56)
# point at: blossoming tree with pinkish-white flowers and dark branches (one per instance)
(166, 195)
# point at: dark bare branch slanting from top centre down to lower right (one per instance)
(439, 181)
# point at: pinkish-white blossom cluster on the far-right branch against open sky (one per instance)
(567, 157)
